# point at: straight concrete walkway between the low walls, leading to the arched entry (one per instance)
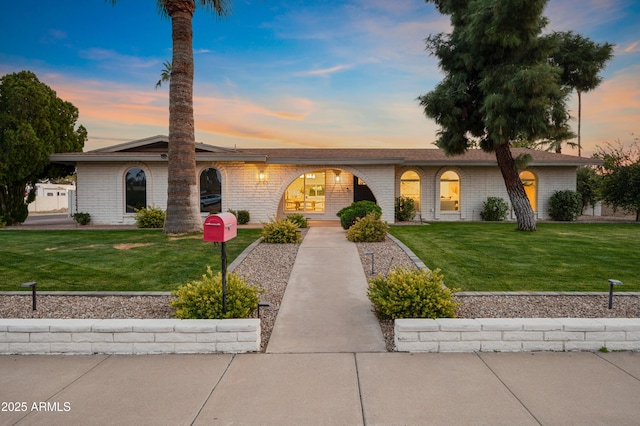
(325, 307)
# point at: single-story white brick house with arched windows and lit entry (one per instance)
(269, 183)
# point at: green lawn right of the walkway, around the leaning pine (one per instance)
(484, 256)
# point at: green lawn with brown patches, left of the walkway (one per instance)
(109, 260)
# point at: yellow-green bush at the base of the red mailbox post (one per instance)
(203, 299)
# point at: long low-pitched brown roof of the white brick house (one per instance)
(154, 149)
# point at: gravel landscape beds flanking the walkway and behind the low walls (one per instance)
(268, 267)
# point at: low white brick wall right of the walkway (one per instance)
(517, 334)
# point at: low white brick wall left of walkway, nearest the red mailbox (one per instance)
(128, 336)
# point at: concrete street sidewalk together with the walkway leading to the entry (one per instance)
(323, 367)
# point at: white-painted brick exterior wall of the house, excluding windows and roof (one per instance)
(101, 188)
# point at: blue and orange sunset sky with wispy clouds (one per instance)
(287, 73)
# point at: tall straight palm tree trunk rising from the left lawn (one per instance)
(183, 212)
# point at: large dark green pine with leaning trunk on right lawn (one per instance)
(499, 84)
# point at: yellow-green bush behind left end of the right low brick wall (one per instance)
(411, 293)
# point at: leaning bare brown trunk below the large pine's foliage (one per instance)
(515, 189)
